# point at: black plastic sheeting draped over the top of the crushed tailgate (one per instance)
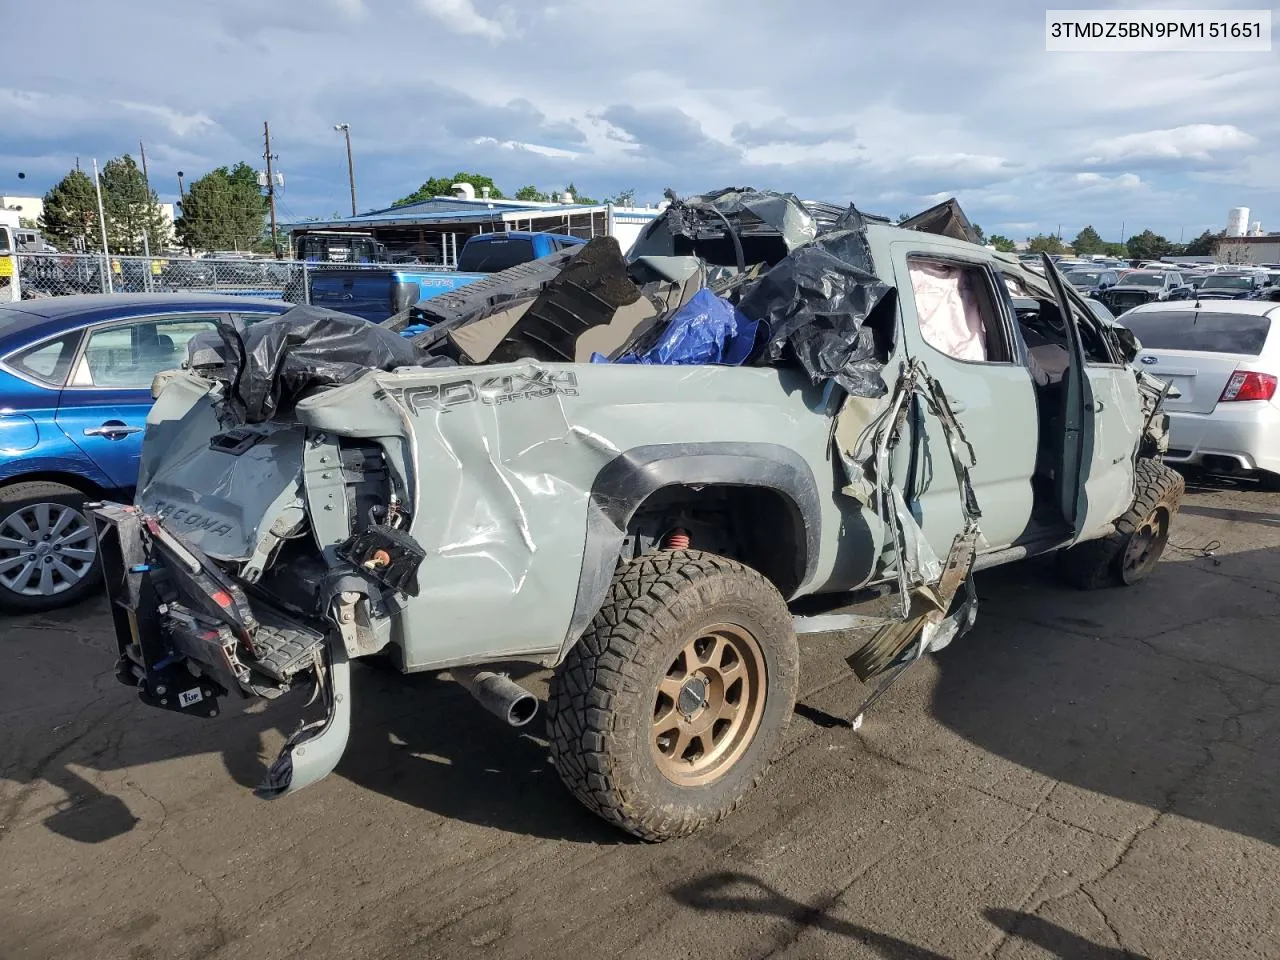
(281, 360)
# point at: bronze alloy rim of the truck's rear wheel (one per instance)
(708, 706)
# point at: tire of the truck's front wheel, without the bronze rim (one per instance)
(1099, 564)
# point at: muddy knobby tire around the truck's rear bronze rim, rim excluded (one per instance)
(602, 702)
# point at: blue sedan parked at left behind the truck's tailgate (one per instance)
(75, 392)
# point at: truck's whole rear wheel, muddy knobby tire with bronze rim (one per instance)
(674, 703)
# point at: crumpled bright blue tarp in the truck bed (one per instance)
(706, 331)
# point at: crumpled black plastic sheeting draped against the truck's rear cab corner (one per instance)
(817, 303)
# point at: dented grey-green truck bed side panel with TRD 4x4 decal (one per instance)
(514, 451)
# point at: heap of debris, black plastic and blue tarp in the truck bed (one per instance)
(739, 277)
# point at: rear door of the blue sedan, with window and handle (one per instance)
(104, 406)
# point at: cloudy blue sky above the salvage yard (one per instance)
(893, 106)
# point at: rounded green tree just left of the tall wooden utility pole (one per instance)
(223, 211)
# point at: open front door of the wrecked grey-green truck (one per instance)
(1101, 418)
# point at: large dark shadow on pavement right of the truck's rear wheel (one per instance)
(1156, 694)
